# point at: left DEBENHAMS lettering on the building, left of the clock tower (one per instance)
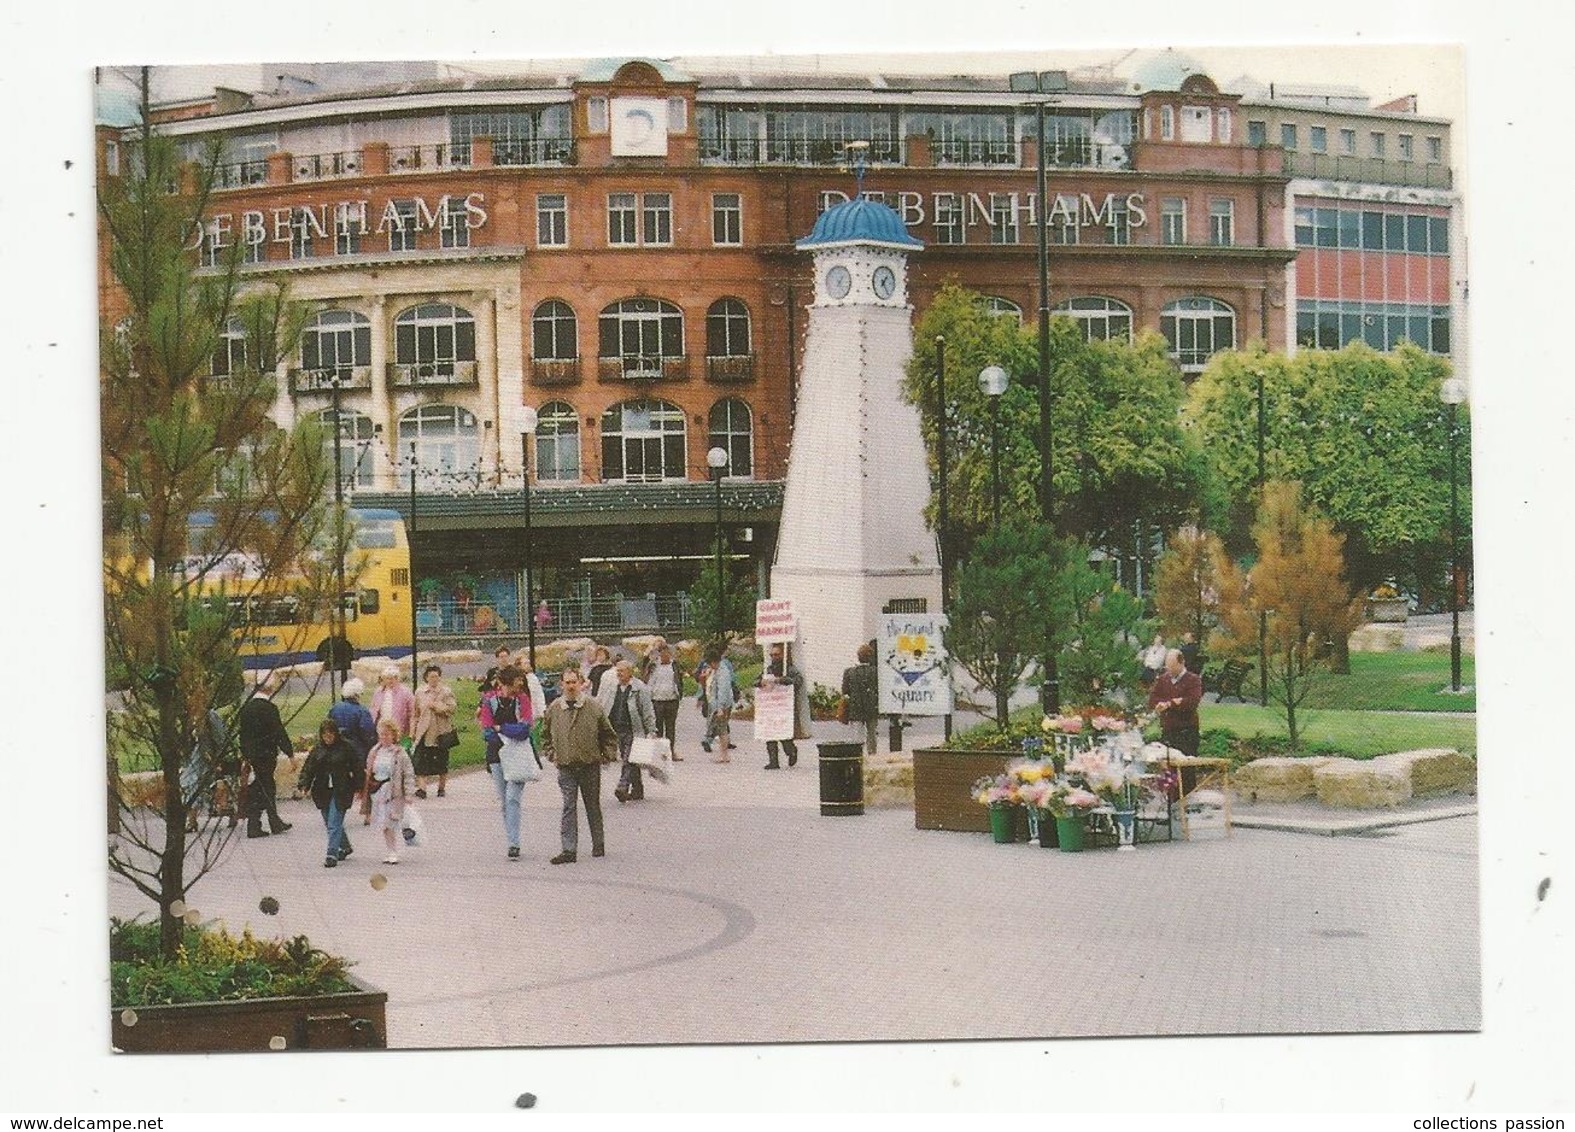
(358, 218)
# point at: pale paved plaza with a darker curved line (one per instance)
(730, 911)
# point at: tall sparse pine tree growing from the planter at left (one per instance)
(206, 501)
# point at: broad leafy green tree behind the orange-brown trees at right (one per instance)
(1363, 432)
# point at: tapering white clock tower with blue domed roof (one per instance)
(853, 539)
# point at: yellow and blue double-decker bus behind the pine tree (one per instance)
(273, 626)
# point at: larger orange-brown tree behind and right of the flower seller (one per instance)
(1299, 586)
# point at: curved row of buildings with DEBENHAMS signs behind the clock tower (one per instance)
(612, 245)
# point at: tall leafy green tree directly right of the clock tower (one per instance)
(1124, 465)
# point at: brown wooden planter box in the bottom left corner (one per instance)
(324, 1023)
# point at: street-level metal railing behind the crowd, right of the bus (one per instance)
(650, 613)
